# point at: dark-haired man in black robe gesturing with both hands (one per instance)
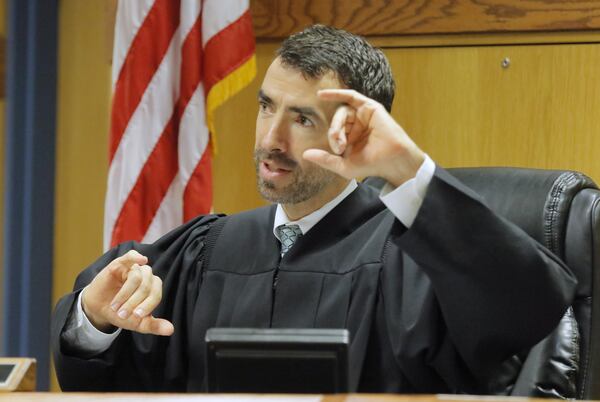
(435, 289)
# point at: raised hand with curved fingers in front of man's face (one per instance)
(366, 141)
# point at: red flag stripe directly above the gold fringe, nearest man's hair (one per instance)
(228, 50)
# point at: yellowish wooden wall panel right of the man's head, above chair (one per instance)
(464, 109)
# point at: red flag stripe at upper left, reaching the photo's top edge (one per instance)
(143, 59)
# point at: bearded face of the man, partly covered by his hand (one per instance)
(291, 120)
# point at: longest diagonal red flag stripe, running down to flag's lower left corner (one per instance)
(160, 169)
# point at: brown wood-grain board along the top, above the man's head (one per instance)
(279, 18)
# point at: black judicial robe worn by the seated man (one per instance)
(435, 308)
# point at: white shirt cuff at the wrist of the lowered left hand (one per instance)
(81, 334)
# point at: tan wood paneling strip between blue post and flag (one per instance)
(81, 141)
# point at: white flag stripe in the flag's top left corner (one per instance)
(130, 16)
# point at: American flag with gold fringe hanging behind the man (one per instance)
(174, 63)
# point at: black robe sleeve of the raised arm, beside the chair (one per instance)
(499, 291)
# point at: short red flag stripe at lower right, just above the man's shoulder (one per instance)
(197, 197)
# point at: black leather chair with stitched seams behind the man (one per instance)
(561, 210)
